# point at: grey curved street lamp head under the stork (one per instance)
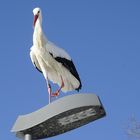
(60, 116)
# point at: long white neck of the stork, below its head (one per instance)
(39, 38)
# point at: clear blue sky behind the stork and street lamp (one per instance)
(102, 37)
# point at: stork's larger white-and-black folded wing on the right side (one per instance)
(62, 57)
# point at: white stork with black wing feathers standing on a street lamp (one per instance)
(53, 62)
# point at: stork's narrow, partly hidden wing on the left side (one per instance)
(35, 61)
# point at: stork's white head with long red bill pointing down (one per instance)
(37, 15)
